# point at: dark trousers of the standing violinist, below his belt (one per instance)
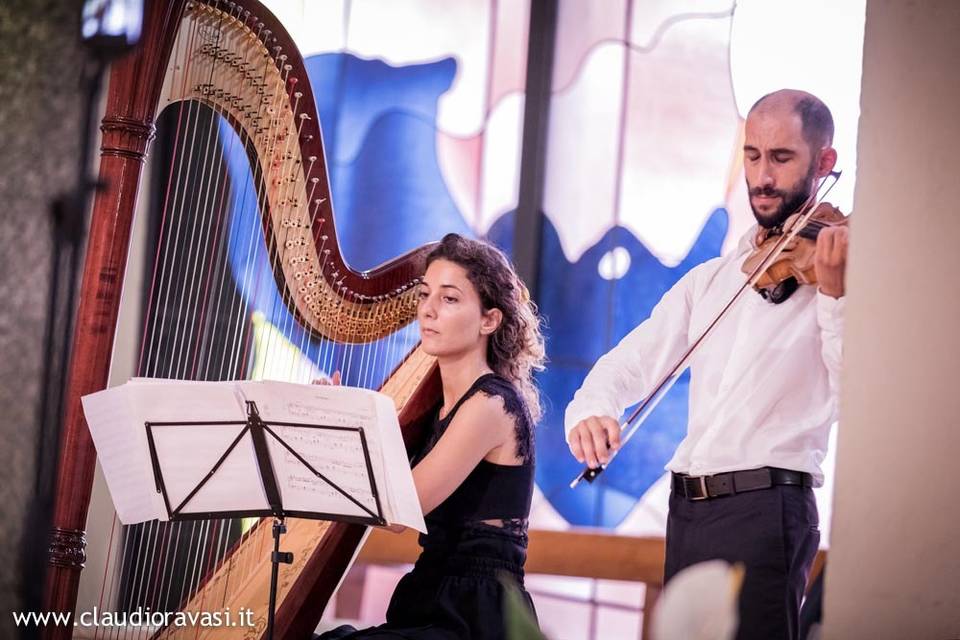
(775, 534)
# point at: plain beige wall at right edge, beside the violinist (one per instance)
(894, 567)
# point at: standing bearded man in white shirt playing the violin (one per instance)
(763, 387)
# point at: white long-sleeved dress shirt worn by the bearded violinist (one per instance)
(763, 386)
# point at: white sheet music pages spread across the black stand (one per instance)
(187, 453)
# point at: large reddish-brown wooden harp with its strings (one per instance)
(231, 64)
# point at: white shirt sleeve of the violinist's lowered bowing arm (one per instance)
(626, 373)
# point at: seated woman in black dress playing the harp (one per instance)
(475, 476)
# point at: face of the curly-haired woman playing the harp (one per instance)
(452, 319)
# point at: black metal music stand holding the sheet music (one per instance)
(258, 430)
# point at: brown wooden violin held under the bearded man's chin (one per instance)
(794, 265)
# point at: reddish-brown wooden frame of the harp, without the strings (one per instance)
(238, 61)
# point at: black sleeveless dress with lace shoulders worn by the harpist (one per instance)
(477, 536)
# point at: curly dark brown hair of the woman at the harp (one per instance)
(515, 349)
